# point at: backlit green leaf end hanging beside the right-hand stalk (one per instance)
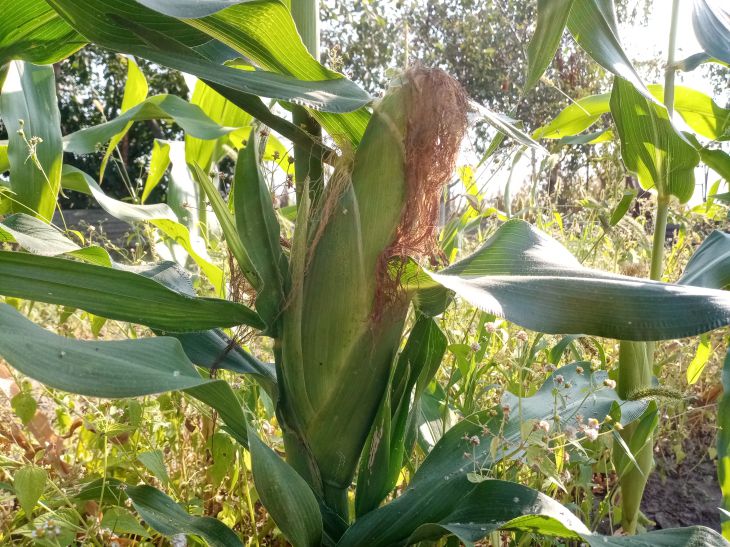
(651, 147)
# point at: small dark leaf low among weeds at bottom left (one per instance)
(167, 517)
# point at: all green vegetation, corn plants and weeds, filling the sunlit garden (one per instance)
(319, 339)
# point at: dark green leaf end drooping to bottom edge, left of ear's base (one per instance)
(286, 496)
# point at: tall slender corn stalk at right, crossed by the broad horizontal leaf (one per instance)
(636, 359)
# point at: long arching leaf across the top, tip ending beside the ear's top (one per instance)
(128, 27)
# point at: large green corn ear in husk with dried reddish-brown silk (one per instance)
(352, 312)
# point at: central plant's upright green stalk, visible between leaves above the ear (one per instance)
(308, 162)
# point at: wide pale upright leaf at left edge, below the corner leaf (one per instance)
(29, 94)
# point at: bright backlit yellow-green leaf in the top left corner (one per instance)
(32, 31)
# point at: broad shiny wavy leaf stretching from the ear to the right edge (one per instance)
(525, 276)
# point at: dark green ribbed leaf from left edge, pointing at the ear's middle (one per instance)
(115, 294)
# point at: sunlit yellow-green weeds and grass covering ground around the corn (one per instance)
(176, 444)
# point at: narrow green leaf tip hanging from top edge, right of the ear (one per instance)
(552, 16)
